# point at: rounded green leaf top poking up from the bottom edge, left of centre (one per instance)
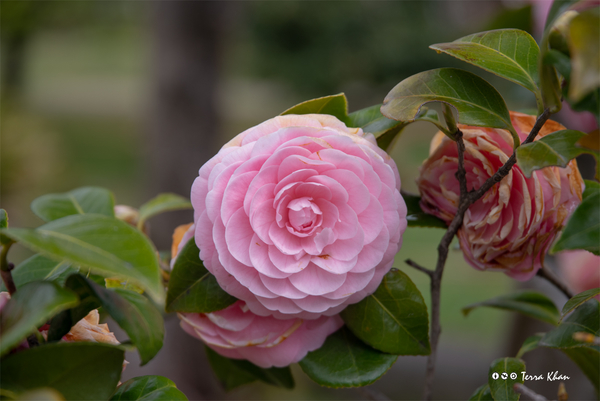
(148, 388)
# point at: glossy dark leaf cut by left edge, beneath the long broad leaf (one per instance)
(31, 306)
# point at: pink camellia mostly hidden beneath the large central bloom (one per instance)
(235, 332)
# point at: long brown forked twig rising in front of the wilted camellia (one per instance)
(466, 199)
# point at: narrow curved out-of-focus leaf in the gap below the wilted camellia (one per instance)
(528, 303)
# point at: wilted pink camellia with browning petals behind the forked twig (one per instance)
(512, 226)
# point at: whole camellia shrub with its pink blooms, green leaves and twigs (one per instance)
(297, 222)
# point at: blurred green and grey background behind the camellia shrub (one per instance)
(135, 96)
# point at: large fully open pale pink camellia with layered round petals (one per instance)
(299, 216)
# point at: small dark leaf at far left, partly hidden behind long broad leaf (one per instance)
(37, 268)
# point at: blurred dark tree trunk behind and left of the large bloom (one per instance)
(184, 119)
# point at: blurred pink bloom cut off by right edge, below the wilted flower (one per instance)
(580, 269)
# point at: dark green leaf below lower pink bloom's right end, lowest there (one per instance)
(345, 361)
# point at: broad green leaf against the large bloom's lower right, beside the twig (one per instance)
(393, 319)
